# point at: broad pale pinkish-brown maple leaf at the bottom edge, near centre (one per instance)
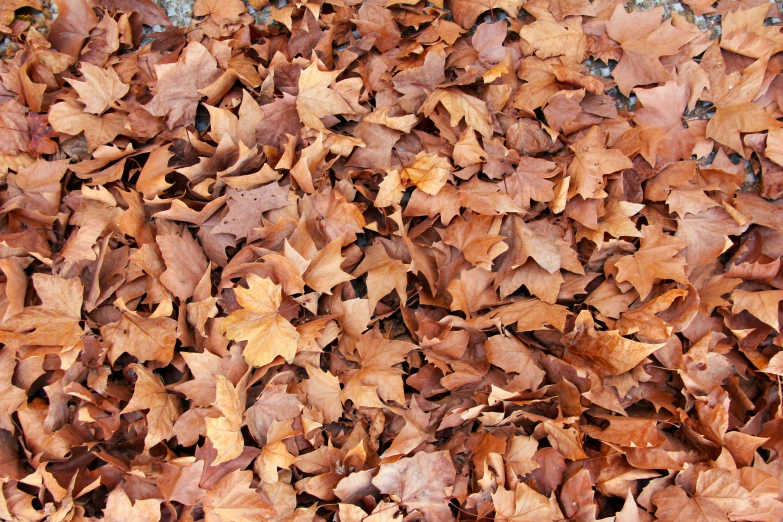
(420, 483)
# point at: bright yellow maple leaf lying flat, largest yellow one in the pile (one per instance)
(267, 332)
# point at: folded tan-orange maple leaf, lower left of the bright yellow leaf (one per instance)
(164, 408)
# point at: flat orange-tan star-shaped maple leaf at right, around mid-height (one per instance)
(658, 257)
